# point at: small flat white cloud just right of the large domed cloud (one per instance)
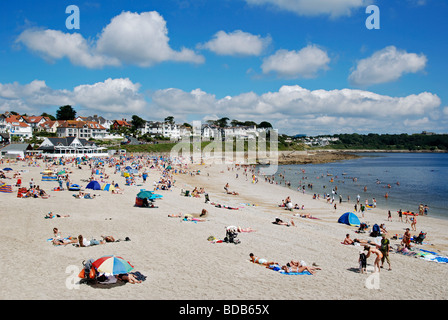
(236, 43)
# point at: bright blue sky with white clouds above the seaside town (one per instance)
(306, 66)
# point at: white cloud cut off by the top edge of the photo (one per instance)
(332, 8)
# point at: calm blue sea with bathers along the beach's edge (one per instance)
(409, 179)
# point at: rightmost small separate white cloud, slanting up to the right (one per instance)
(386, 65)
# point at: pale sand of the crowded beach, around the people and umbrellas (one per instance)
(177, 258)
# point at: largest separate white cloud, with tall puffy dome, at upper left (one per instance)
(131, 38)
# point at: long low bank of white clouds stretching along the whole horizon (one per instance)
(291, 109)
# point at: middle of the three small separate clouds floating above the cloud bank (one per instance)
(305, 63)
